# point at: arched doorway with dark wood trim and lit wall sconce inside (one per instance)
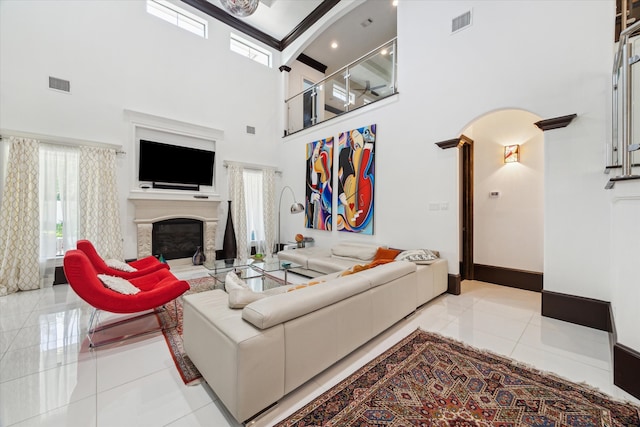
(502, 204)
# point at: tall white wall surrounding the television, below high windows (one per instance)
(119, 57)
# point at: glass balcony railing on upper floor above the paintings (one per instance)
(365, 81)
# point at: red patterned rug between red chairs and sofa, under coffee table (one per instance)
(188, 371)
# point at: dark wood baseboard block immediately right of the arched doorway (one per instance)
(580, 310)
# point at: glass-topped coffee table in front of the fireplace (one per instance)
(260, 275)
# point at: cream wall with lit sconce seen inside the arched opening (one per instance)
(508, 229)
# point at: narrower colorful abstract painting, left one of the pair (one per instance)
(319, 193)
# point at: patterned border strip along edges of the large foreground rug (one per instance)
(498, 362)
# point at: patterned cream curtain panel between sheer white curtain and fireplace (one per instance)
(99, 210)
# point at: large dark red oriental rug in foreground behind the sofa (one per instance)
(430, 380)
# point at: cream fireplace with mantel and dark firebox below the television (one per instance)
(182, 214)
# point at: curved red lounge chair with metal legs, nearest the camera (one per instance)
(157, 289)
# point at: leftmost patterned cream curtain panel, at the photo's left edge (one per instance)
(20, 219)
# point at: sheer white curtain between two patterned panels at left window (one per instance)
(58, 204)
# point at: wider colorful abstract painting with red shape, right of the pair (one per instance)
(356, 175)
